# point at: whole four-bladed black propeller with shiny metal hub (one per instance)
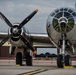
(16, 29)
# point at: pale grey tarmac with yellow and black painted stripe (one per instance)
(40, 67)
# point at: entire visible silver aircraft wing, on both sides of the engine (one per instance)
(37, 39)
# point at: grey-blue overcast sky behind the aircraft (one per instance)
(17, 10)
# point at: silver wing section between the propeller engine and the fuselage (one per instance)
(40, 40)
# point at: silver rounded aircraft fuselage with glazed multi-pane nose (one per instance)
(62, 20)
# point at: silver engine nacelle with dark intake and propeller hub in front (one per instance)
(16, 32)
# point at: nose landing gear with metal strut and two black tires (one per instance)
(62, 59)
